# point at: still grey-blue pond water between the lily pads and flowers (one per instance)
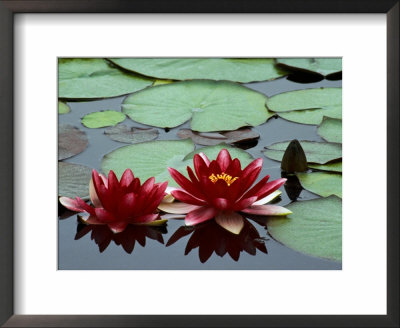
(84, 252)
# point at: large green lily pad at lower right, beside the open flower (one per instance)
(314, 227)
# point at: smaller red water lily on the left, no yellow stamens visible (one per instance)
(119, 203)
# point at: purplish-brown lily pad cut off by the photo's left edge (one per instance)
(71, 141)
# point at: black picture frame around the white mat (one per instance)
(10, 7)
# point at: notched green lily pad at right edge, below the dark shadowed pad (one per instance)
(307, 106)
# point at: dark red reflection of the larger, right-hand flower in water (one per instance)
(210, 237)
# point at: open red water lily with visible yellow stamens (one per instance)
(220, 189)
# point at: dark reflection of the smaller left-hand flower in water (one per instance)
(103, 236)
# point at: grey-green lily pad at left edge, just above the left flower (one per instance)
(73, 180)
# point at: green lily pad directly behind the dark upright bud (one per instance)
(316, 152)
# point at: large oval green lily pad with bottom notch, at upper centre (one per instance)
(212, 106)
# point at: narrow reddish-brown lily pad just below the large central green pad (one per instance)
(215, 138)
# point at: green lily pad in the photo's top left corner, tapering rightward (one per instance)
(80, 78)
